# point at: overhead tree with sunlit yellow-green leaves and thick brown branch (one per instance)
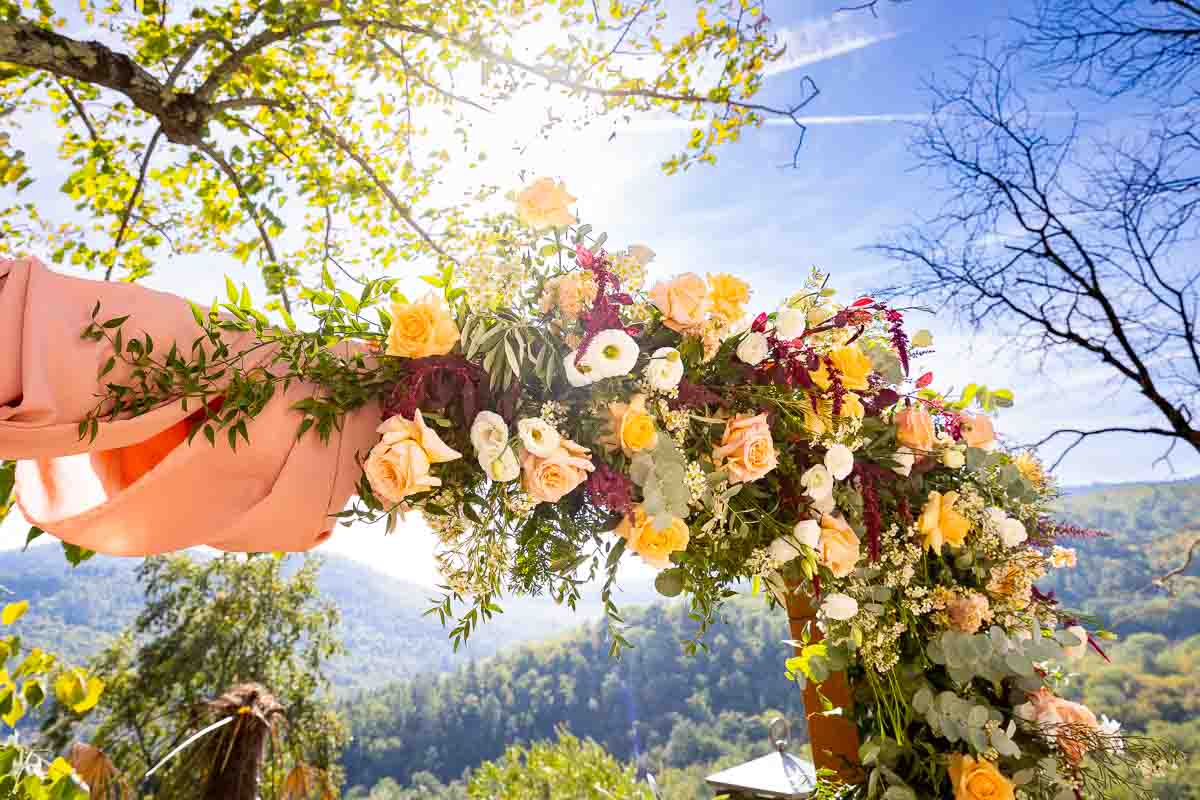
(317, 135)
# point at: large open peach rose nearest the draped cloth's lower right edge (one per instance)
(399, 466)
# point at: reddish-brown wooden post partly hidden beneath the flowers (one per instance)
(835, 738)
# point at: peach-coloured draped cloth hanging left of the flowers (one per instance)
(139, 489)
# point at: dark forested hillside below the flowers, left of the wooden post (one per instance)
(446, 724)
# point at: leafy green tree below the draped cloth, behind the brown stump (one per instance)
(207, 627)
